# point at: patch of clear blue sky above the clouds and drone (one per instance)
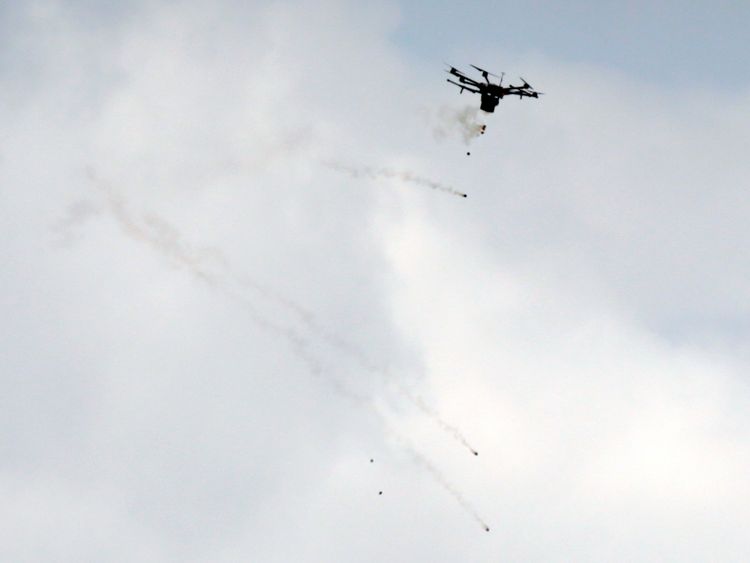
(674, 44)
